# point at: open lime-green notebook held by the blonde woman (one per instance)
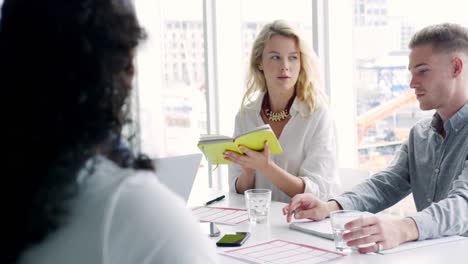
(213, 146)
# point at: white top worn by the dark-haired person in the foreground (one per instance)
(124, 216)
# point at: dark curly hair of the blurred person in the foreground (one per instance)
(66, 67)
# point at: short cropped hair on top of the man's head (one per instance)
(446, 37)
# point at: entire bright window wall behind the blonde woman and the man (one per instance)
(185, 90)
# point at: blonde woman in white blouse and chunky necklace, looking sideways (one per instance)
(283, 91)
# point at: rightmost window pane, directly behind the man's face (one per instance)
(386, 107)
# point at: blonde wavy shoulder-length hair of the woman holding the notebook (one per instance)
(308, 82)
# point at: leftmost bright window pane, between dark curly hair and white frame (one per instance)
(170, 99)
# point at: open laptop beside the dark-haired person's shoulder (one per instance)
(178, 172)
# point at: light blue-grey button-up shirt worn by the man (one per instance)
(434, 169)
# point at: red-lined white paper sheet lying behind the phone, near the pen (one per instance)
(219, 215)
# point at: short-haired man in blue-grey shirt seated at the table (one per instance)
(432, 164)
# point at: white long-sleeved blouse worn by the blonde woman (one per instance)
(309, 149)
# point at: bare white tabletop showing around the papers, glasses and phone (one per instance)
(277, 228)
